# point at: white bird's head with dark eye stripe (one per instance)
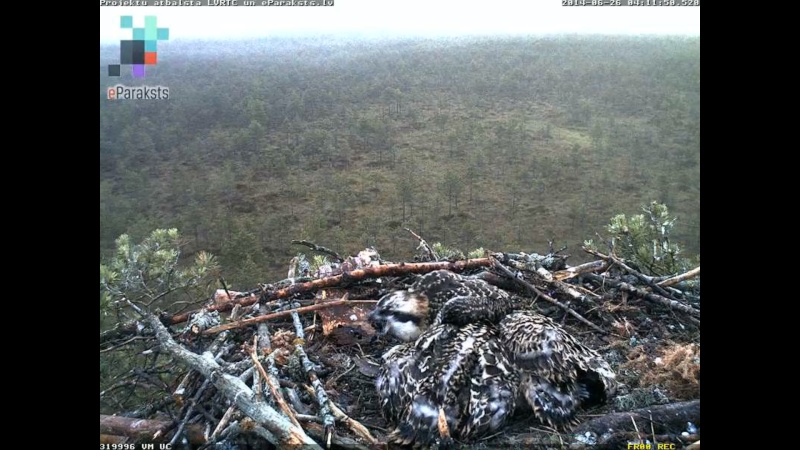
(401, 314)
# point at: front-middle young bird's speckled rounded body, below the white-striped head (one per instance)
(463, 371)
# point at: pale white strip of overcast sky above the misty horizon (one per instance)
(405, 17)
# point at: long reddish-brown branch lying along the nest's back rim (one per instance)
(386, 270)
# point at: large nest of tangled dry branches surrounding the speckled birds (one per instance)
(292, 363)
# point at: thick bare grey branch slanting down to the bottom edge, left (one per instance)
(286, 433)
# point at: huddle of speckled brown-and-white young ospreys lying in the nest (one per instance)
(465, 374)
